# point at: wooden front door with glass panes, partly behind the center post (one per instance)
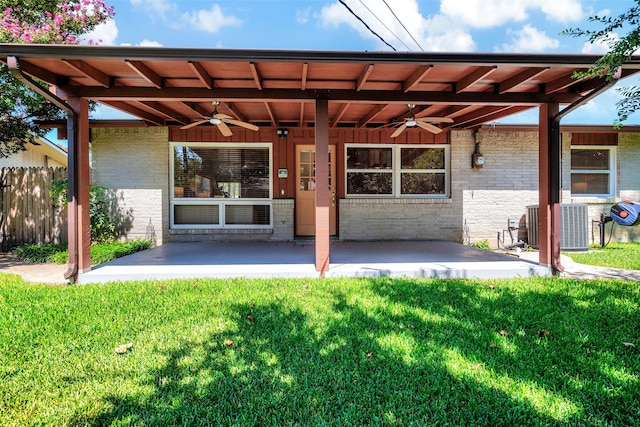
(306, 190)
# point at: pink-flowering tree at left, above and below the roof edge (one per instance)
(46, 22)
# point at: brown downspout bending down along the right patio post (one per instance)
(556, 136)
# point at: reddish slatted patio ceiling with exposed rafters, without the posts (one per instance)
(168, 86)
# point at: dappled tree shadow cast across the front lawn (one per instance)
(394, 352)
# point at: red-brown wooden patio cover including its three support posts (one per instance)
(320, 89)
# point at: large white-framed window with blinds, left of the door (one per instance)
(218, 185)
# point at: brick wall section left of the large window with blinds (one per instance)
(135, 163)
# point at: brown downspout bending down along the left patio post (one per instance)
(72, 125)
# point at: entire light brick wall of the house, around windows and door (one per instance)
(135, 162)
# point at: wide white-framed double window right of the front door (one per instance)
(397, 170)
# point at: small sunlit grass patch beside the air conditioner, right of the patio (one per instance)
(616, 255)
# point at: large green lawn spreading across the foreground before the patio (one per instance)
(331, 352)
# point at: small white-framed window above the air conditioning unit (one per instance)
(593, 171)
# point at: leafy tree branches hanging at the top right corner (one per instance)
(620, 51)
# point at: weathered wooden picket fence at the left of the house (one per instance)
(29, 214)
